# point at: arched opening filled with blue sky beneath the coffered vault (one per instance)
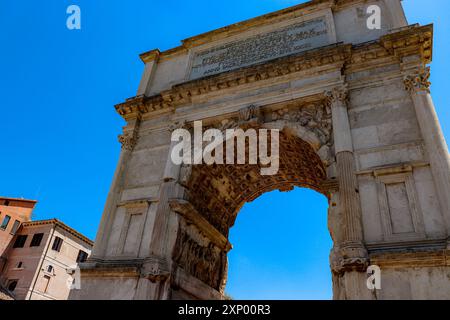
(282, 247)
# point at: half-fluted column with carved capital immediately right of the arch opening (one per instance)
(352, 250)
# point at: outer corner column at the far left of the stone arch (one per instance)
(128, 140)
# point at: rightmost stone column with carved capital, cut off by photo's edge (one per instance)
(418, 84)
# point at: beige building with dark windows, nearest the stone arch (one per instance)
(40, 260)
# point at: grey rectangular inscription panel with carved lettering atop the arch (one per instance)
(260, 48)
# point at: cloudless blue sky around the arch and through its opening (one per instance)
(59, 127)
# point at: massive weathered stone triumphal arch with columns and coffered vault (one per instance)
(356, 123)
